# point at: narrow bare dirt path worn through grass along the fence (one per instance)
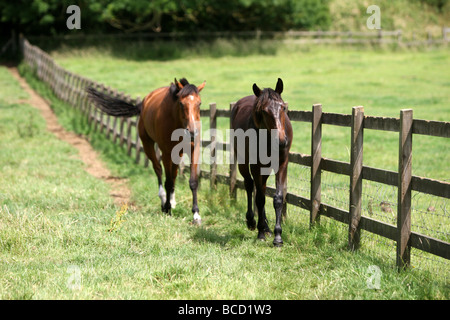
(119, 189)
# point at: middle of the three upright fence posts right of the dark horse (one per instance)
(356, 157)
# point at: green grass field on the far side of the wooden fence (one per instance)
(384, 81)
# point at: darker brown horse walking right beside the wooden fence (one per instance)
(263, 111)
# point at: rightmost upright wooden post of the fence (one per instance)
(404, 189)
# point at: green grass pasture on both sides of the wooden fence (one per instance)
(54, 216)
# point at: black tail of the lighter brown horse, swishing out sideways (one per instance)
(113, 106)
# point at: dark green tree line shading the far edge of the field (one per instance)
(48, 17)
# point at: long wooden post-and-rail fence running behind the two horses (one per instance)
(70, 87)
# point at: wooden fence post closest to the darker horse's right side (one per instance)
(316, 156)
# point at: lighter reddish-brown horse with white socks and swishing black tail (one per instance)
(162, 112)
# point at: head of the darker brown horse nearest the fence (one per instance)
(269, 111)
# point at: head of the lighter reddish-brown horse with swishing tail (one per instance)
(188, 97)
